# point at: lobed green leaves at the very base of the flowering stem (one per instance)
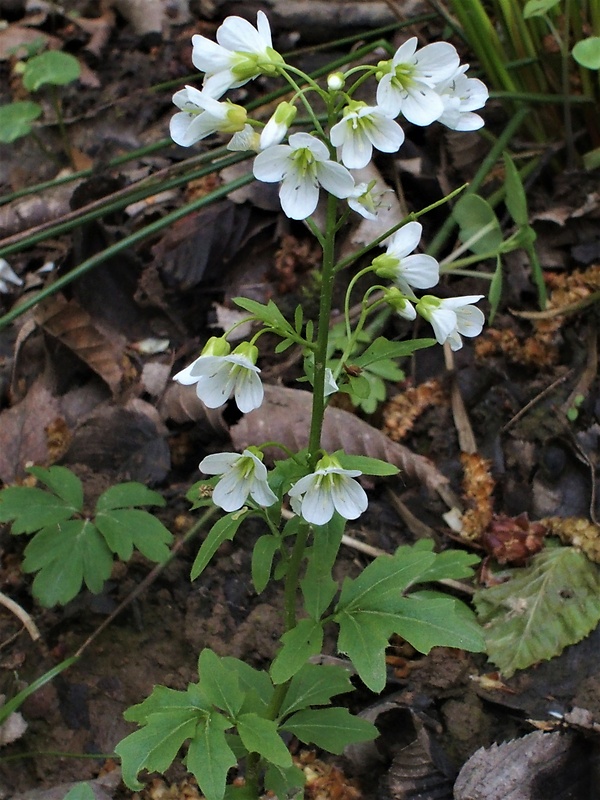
(232, 694)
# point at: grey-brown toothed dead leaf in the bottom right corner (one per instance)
(538, 766)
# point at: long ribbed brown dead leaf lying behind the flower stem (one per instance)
(285, 417)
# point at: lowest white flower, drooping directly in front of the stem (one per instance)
(328, 489)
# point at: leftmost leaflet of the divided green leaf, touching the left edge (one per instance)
(32, 508)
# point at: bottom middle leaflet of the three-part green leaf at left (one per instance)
(66, 555)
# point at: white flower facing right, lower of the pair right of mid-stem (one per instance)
(452, 317)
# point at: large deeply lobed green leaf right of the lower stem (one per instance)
(374, 606)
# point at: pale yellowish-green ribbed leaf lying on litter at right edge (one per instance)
(541, 609)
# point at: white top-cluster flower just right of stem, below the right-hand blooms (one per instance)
(363, 128)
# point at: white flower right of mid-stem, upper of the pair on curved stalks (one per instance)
(406, 271)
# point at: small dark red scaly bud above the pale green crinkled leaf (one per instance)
(513, 540)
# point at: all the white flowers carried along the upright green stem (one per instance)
(421, 85)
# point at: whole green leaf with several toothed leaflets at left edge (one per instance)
(69, 548)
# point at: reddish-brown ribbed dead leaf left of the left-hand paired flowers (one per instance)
(67, 322)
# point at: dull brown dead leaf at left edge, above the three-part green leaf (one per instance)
(23, 438)
